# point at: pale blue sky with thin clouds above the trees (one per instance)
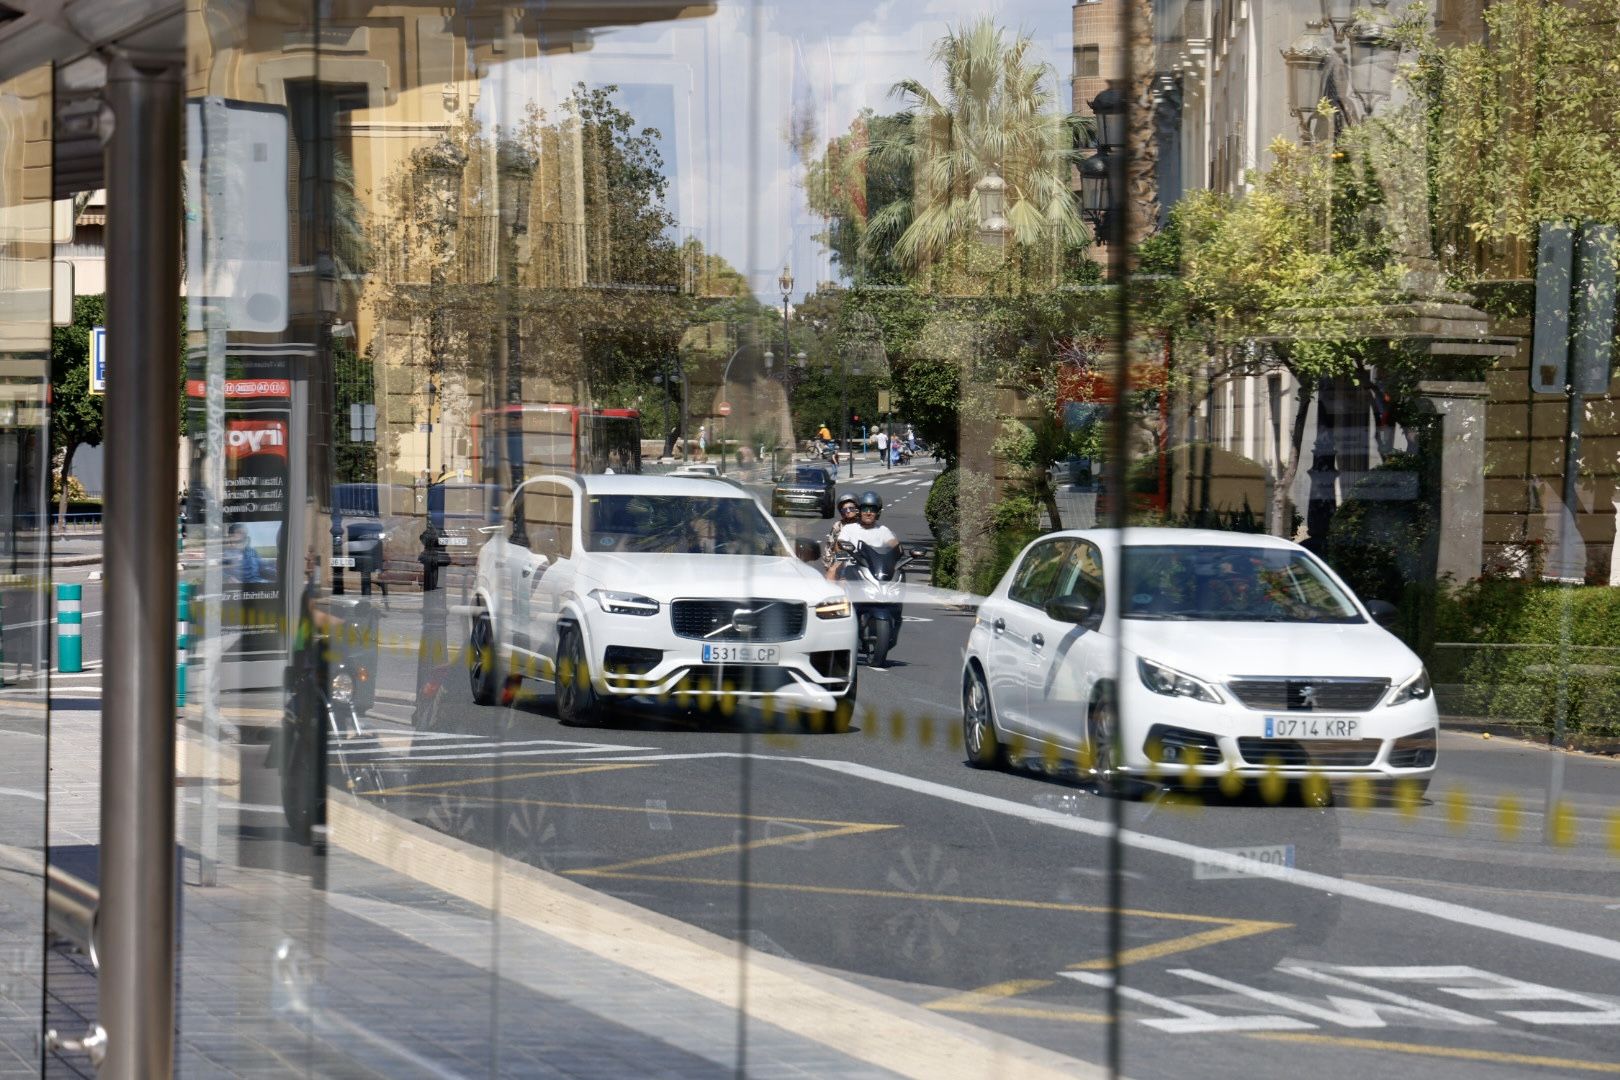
(722, 91)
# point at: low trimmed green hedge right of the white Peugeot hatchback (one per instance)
(1522, 684)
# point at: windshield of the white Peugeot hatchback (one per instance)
(1221, 584)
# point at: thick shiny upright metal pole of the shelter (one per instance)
(137, 982)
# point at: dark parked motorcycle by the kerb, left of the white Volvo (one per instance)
(330, 686)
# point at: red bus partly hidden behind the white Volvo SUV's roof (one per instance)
(537, 438)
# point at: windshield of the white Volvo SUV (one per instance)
(686, 525)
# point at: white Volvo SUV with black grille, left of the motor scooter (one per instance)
(655, 589)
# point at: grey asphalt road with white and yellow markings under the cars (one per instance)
(1470, 937)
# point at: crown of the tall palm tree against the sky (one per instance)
(997, 116)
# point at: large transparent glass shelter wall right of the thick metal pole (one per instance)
(602, 746)
